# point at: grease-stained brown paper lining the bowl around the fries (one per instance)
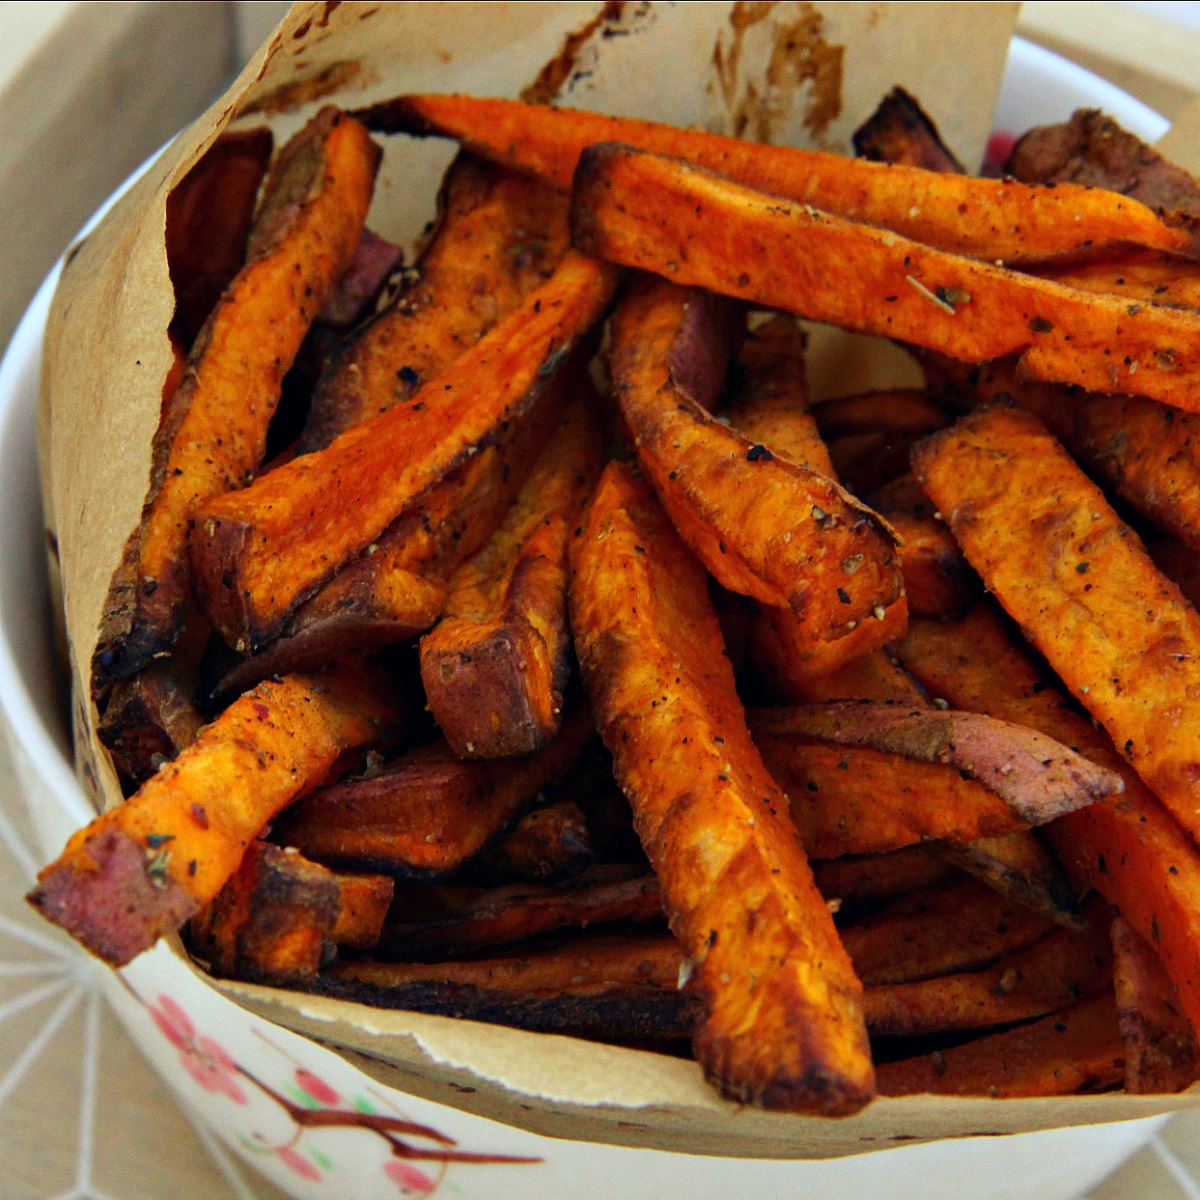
(806, 74)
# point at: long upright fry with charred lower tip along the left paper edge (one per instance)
(213, 434)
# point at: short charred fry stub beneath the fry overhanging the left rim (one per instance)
(272, 922)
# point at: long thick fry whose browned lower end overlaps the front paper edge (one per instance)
(782, 1009)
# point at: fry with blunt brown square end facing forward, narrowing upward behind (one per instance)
(496, 665)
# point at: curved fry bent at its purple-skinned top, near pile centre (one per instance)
(764, 526)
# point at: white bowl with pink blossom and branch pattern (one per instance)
(253, 1082)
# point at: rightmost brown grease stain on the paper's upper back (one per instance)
(802, 67)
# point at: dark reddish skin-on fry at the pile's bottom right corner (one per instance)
(1162, 1054)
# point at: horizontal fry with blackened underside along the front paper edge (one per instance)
(616, 988)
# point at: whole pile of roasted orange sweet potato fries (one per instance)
(812, 805)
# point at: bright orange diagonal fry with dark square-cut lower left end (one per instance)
(262, 551)
